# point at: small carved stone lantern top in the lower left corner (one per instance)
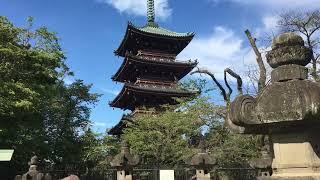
(33, 173)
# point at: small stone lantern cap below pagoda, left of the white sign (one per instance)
(124, 159)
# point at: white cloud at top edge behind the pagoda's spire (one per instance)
(139, 7)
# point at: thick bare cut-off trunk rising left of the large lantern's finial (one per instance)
(262, 68)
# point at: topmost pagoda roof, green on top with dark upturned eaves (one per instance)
(152, 33)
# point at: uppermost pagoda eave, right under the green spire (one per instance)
(161, 34)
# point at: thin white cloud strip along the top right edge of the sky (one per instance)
(279, 4)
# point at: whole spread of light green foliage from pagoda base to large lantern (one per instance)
(171, 138)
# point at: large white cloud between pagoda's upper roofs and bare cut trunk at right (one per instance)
(222, 49)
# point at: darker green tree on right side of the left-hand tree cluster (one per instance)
(65, 116)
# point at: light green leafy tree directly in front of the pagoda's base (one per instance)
(162, 139)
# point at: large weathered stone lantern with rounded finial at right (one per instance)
(287, 110)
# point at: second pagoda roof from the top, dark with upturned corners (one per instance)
(127, 71)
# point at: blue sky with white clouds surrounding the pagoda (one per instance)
(91, 29)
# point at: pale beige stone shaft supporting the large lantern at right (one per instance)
(296, 154)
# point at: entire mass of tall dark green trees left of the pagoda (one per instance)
(39, 113)
